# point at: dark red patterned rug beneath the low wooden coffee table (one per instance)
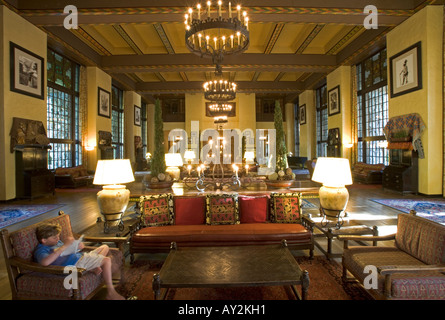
(324, 276)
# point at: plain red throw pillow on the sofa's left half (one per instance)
(189, 210)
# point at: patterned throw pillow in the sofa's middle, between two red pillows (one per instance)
(222, 209)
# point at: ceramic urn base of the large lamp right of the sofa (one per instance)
(333, 201)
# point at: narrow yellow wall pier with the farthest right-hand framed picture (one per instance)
(307, 131)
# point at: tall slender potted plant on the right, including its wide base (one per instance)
(283, 175)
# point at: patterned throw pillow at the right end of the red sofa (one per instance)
(285, 207)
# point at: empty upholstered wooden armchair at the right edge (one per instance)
(414, 268)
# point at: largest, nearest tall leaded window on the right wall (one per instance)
(372, 108)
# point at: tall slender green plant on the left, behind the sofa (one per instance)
(158, 161)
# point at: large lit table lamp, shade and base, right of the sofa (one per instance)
(334, 174)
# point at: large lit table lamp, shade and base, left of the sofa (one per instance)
(113, 198)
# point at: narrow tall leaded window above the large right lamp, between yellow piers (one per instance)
(321, 103)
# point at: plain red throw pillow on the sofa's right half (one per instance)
(253, 209)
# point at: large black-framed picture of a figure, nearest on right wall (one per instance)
(406, 70)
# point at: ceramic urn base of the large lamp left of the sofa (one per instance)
(113, 201)
